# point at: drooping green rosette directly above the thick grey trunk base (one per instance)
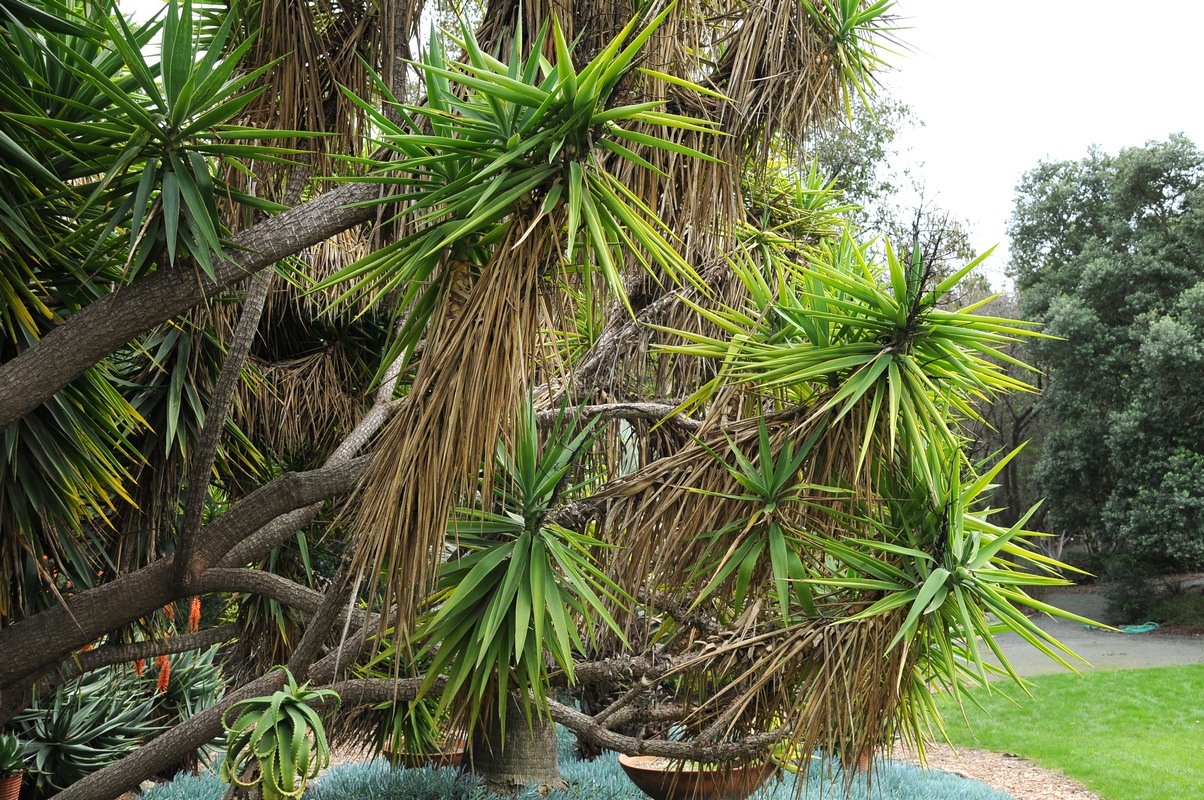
(522, 590)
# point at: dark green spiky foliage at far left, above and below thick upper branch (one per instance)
(121, 162)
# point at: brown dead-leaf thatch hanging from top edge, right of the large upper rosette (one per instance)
(770, 72)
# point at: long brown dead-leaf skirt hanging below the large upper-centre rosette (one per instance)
(469, 391)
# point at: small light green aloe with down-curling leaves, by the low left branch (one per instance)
(282, 736)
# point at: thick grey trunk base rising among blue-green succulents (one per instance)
(516, 755)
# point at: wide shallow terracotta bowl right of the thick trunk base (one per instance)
(662, 780)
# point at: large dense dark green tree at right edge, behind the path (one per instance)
(1107, 254)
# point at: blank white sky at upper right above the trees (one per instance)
(1002, 86)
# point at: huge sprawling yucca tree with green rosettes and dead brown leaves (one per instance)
(588, 211)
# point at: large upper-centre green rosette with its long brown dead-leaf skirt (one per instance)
(488, 190)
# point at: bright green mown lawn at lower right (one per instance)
(1126, 734)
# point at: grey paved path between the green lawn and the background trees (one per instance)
(1103, 650)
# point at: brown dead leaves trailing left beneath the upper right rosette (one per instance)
(662, 515)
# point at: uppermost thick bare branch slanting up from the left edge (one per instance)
(110, 323)
